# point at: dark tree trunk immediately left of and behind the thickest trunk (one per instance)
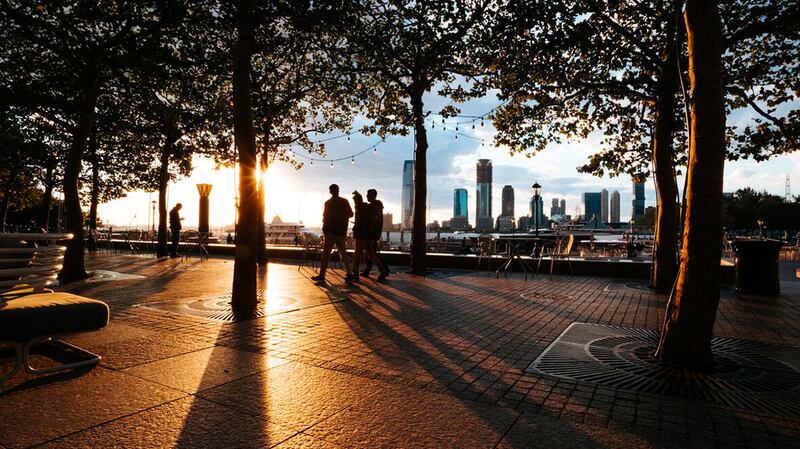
(665, 244)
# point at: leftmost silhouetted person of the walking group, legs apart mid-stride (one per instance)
(334, 227)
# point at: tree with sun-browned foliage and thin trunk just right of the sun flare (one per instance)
(299, 89)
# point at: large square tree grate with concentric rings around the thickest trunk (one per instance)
(748, 375)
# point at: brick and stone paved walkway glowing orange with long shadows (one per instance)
(413, 363)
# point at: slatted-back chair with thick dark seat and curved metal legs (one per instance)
(32, 314)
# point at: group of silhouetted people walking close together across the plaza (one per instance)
(367, 227)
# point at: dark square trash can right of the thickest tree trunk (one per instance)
(757, 266)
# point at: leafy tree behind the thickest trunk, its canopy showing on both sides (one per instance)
(614, 68)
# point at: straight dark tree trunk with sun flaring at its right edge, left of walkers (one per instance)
(243, 298)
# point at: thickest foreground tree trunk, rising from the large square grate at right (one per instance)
(692, 309)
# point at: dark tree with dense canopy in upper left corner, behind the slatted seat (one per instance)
(64, 56)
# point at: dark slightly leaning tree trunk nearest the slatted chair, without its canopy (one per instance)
(74, 267)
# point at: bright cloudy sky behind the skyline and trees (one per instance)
(298, 195)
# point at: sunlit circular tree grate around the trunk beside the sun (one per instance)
(218, 307)
